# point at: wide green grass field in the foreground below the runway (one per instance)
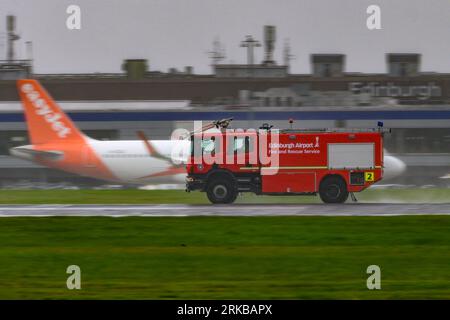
(225, 257)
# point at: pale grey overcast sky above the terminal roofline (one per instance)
(177, 33)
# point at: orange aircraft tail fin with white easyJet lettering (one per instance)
(46, 121)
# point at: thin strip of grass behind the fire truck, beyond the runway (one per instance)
(179, 196)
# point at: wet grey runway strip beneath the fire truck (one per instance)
(351, 209)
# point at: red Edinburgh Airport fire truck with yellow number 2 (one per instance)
(330, 162)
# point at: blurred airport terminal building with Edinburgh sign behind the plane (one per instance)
(414, 103)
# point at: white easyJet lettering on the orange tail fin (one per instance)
(42, 109)
